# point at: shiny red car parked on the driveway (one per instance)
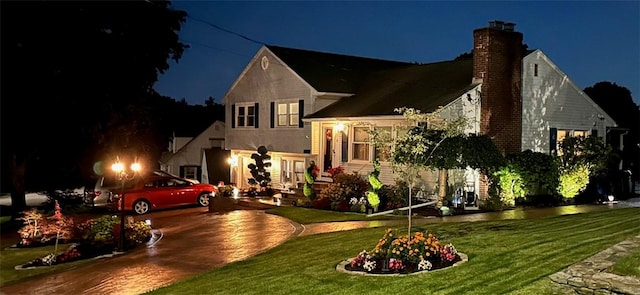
(154, 192)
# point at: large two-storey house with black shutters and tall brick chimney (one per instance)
(313, 106)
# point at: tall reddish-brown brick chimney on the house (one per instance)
(497, 64)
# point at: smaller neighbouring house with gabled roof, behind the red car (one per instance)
(199, 157)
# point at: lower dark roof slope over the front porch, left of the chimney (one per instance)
(424, 87)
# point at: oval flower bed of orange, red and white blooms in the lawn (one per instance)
(404, 255)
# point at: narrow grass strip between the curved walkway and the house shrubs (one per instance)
(307, 216)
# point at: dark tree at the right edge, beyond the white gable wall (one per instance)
(617, 102)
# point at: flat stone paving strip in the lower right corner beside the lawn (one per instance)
(591, 277)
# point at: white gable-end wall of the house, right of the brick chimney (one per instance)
(552, 100)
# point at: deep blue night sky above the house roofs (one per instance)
(588, 40)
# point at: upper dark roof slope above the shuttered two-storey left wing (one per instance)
(329, 72)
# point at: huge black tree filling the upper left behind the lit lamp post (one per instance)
(77, 80)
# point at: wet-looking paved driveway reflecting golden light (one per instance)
(193, 242)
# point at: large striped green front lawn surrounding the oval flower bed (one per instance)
(505, 257)
